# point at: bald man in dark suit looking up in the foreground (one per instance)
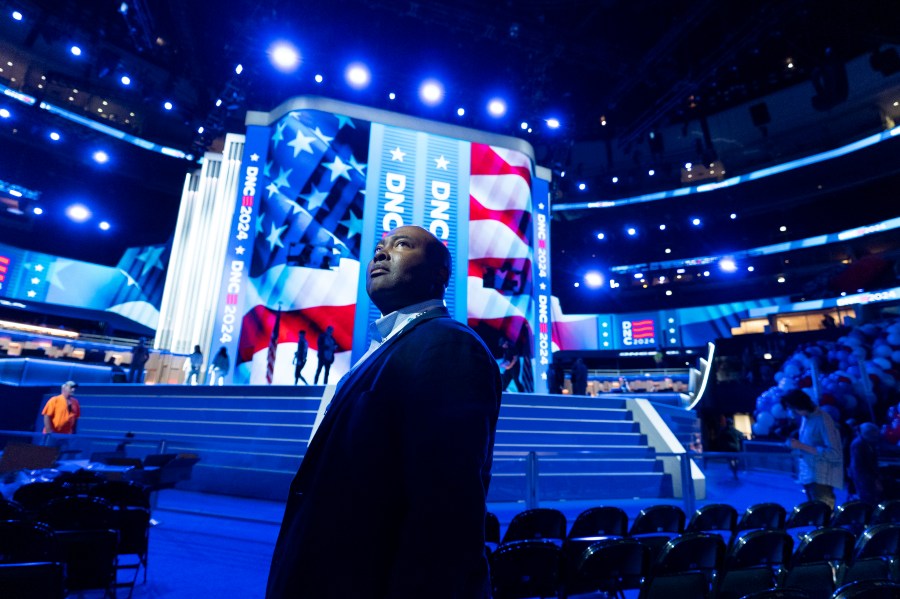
(389, 501)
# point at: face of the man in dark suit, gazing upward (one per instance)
(399, 273)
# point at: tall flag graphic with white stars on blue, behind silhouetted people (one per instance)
(306, 245)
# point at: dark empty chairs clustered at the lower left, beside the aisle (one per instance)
(73, 534)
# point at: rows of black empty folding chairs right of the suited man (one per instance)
(764, 552)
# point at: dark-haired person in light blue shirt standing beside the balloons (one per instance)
(821, 465)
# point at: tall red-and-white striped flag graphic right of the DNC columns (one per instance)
(499, 296)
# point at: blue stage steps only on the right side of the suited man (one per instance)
(584, 447)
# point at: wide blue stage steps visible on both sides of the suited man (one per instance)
(251, 439)
